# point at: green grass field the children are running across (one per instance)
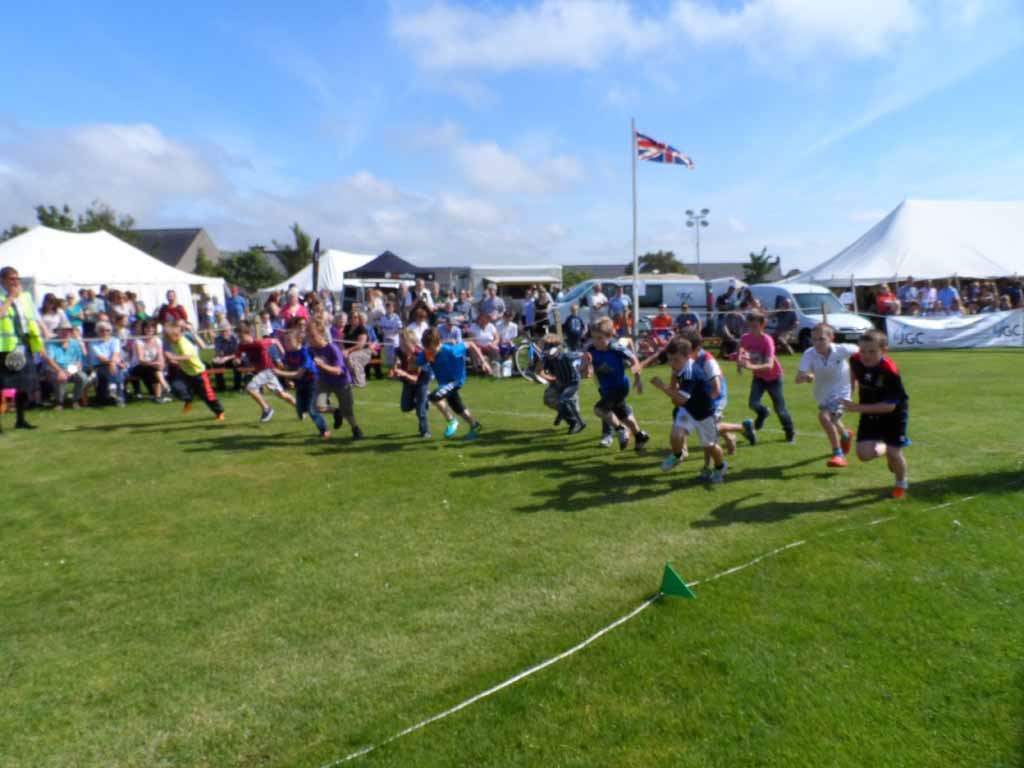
(176, 592)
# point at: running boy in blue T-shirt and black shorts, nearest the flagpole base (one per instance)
(613, 362)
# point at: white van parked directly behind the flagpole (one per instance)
(673, 290)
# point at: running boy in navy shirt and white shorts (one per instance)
(695, 412)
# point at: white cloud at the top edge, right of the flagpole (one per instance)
(802, 28)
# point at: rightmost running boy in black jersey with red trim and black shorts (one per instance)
(883, 408)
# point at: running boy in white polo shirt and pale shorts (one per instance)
(826, 365)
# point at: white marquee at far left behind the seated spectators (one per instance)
(60, 263)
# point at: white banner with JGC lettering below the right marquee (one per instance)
(990, 330)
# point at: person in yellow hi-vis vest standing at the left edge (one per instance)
(21, 337)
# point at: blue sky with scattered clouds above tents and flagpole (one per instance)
(499, 133)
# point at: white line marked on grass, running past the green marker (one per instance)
(618, 623)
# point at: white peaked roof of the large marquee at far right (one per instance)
(929, 240)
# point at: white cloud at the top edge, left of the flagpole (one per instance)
(578, 34)
